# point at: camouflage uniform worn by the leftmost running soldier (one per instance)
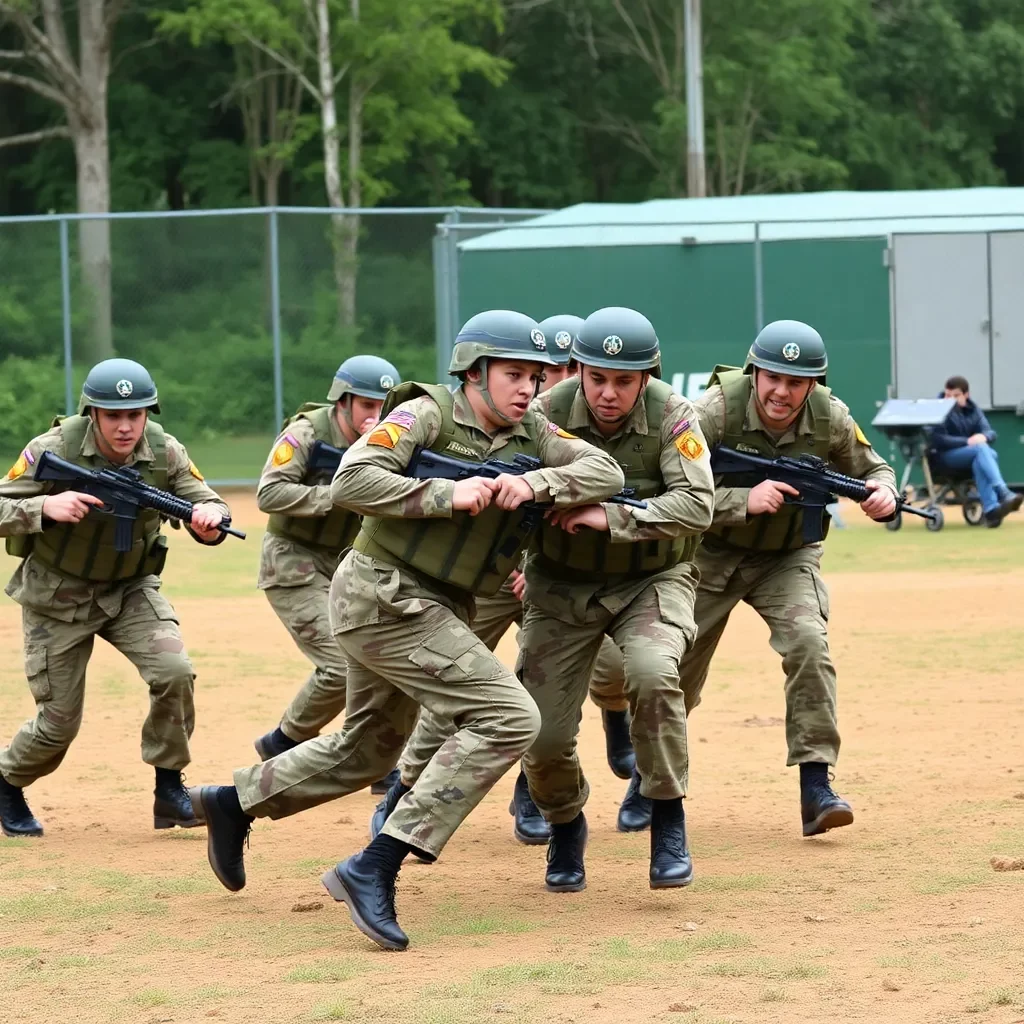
(63, 613)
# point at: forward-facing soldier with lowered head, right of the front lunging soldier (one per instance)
(630, 576)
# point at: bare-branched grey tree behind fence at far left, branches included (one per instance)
(78, 87)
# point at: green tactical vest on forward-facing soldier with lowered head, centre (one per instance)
(591, 554)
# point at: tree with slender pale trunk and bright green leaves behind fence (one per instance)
(394, 65)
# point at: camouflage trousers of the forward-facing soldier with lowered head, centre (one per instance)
(652, 623)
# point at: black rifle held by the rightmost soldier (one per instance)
(819, 486)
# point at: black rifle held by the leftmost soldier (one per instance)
(124, 493)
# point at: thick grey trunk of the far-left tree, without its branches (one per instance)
(90, 132)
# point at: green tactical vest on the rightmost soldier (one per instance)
(783, 531)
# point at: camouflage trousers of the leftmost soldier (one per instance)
(57, 654)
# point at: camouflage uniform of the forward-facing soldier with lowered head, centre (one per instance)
(647, 609)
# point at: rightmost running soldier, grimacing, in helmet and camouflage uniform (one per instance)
(754, 551)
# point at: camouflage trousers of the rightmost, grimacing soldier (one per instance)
(787, 591)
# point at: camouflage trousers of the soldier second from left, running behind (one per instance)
(305, 611)
